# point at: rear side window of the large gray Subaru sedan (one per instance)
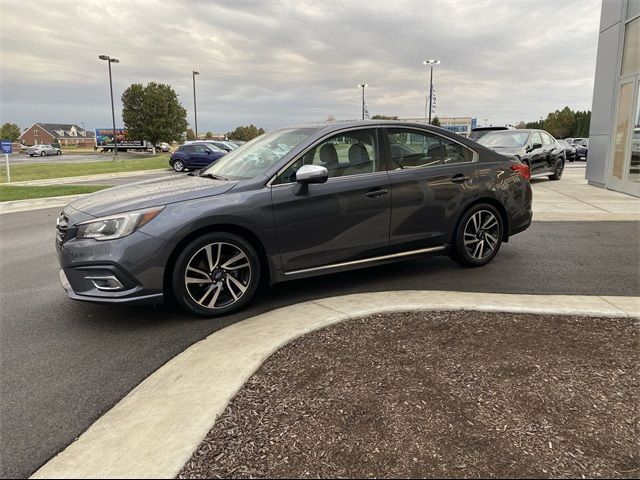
(413, 148)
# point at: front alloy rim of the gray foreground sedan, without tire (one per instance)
(218, 275)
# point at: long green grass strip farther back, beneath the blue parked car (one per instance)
(39, 171)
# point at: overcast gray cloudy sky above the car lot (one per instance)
(277, 63)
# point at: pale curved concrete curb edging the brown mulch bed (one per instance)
(153, 431)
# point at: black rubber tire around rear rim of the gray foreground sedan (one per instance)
(460, 252)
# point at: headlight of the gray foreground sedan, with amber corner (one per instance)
(116, 226)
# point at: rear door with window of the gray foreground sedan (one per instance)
(431, 177)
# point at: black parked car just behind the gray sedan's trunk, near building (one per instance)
(536, 148)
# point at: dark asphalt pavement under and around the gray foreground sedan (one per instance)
(63, 363)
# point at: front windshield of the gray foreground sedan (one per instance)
(256, 157)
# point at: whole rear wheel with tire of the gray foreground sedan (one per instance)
(478, 236)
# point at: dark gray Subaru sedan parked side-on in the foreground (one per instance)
(293, 203)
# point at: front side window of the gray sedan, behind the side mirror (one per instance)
(345, 154)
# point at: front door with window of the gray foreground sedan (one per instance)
(346, 218)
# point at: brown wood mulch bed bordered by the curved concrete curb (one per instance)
(447, 394)
